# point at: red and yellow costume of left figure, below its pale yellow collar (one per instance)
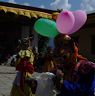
(25, 69)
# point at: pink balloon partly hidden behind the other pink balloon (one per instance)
(80, 19)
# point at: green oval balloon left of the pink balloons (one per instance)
(46, 27)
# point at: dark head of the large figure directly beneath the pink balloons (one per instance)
(64, 44)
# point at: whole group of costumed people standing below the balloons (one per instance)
(74, 75)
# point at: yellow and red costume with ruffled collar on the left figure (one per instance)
(25, 70)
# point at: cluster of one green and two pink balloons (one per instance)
(67, 22)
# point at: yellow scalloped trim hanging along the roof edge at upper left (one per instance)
(28, 13)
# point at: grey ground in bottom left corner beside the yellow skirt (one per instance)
(7, 75)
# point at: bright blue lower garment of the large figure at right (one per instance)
(77, 89)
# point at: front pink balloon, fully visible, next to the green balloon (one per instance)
(65, 21)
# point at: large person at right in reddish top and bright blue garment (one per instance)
(79, 73)
